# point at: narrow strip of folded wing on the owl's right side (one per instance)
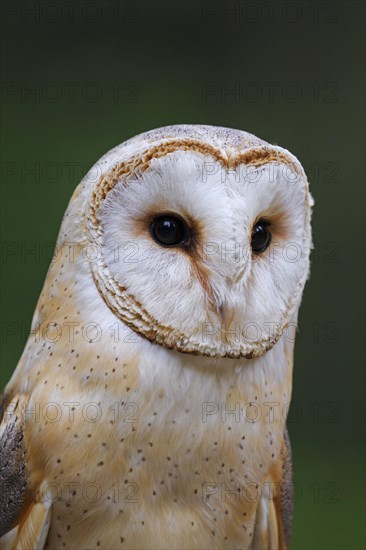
(273, 521)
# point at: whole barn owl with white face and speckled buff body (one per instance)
(148, 409)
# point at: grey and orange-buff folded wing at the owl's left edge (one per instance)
(24, 521)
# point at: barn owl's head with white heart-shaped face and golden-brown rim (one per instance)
(203, 238)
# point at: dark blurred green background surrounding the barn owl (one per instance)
(79, 77)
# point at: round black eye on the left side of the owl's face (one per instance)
(169, 230)
